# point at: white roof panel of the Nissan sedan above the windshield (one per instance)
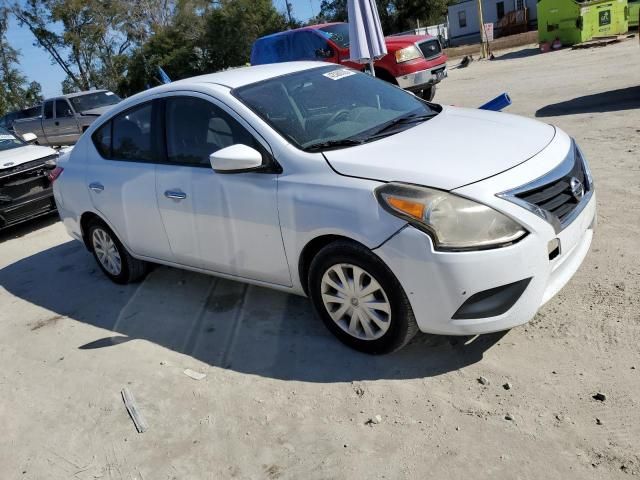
(239, 77)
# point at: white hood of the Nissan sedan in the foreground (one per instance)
(458, 147)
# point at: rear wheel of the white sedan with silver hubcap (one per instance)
(116, 263)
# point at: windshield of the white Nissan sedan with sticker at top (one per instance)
(331, 107)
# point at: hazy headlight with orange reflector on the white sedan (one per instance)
(453, 222)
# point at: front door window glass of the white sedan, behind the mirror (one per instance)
(196, 128)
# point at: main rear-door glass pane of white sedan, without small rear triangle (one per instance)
(131, 135)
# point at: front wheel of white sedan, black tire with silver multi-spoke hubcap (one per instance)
(394, 325)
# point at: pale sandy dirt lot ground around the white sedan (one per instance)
(282, 399)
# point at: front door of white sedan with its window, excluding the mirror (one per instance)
(225, 223)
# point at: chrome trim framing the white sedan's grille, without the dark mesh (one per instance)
(555, 175)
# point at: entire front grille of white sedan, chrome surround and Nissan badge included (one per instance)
(560, 195)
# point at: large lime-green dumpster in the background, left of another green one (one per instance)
(574, 22)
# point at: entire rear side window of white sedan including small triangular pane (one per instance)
(128, 136)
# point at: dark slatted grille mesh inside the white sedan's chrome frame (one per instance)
(557, 197)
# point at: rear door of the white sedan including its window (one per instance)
(121, 179)
